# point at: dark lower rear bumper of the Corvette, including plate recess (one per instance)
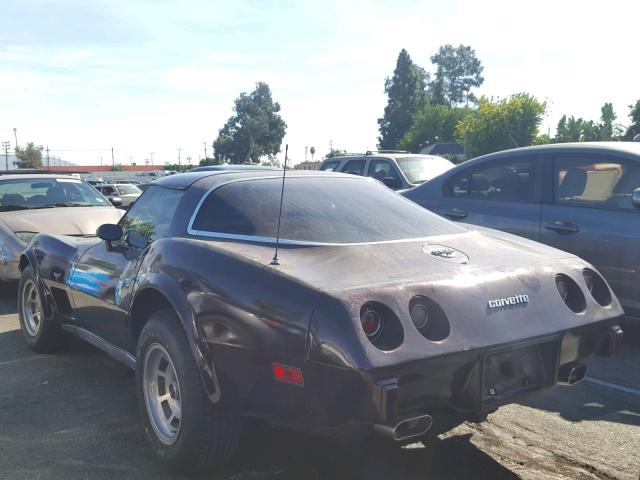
(451, 388)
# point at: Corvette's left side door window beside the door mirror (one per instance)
(151, 215)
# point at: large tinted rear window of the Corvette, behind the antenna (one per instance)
(318, 210)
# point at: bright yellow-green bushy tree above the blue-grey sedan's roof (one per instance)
(503, 124)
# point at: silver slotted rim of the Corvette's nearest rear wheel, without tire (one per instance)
(162, 394)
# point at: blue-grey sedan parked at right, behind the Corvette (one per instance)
(583, 198)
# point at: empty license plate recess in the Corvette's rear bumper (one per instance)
(512, 371)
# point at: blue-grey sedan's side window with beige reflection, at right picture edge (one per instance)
(596, 181)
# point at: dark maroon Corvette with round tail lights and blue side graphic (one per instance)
(353, 312)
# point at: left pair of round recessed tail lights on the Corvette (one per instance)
(384, 330)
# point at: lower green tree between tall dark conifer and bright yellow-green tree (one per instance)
(432, 124)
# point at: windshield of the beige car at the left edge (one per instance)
(21, 194)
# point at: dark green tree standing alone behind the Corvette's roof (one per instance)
(255, 130)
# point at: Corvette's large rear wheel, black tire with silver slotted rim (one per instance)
(184, 429)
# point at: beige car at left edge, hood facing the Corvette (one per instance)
(54, 204)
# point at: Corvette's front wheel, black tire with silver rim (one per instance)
(47, 335)
